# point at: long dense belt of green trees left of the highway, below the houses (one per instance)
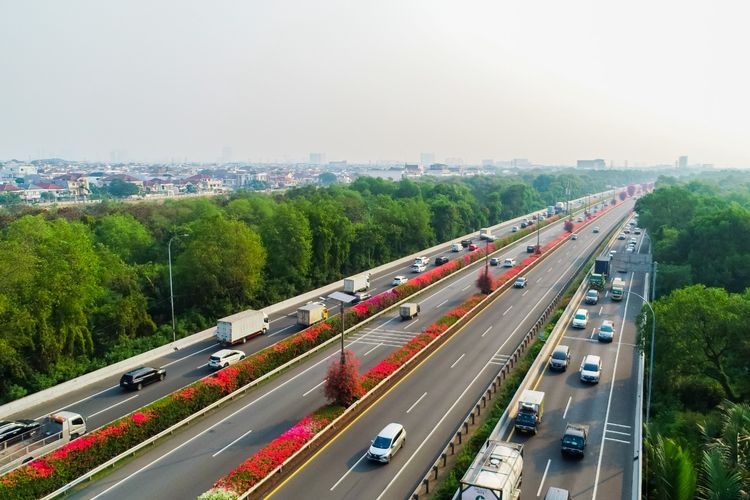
(86, 286)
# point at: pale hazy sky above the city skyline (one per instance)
(552, 81)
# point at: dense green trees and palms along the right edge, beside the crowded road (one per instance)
(699, 439)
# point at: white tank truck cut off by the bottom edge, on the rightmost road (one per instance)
(495, 473)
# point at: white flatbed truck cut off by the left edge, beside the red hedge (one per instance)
(54, 431)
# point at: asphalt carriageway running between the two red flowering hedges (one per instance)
(214, 446)
